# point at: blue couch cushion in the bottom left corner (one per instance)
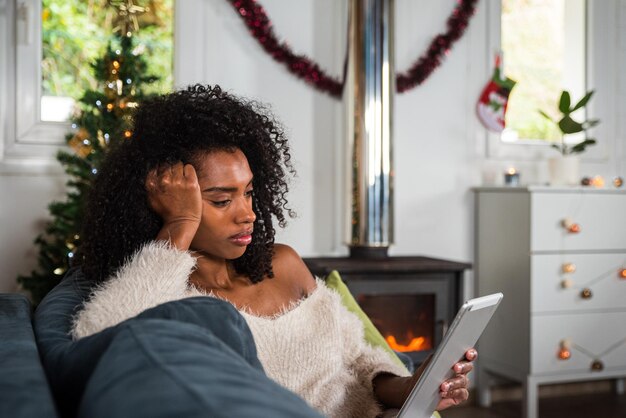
(24, 390)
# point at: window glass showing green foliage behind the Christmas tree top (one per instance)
(75, 33)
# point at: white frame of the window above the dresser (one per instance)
(600, 40)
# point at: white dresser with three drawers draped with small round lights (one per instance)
(559, 257)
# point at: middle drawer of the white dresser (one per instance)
(567, 282)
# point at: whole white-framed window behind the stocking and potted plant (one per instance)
(589, 33)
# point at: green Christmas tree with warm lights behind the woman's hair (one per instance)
(101, 121)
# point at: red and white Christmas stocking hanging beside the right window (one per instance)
(491, 106)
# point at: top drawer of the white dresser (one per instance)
(601, 217)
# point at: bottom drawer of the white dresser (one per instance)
(598, 336)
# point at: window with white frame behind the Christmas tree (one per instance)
(46, 48)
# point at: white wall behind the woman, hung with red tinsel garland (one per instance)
(440, 148)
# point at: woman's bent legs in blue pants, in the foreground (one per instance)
(180, 369)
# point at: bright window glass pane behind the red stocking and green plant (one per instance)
(543, 44)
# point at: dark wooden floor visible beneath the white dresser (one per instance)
(601, 405)
